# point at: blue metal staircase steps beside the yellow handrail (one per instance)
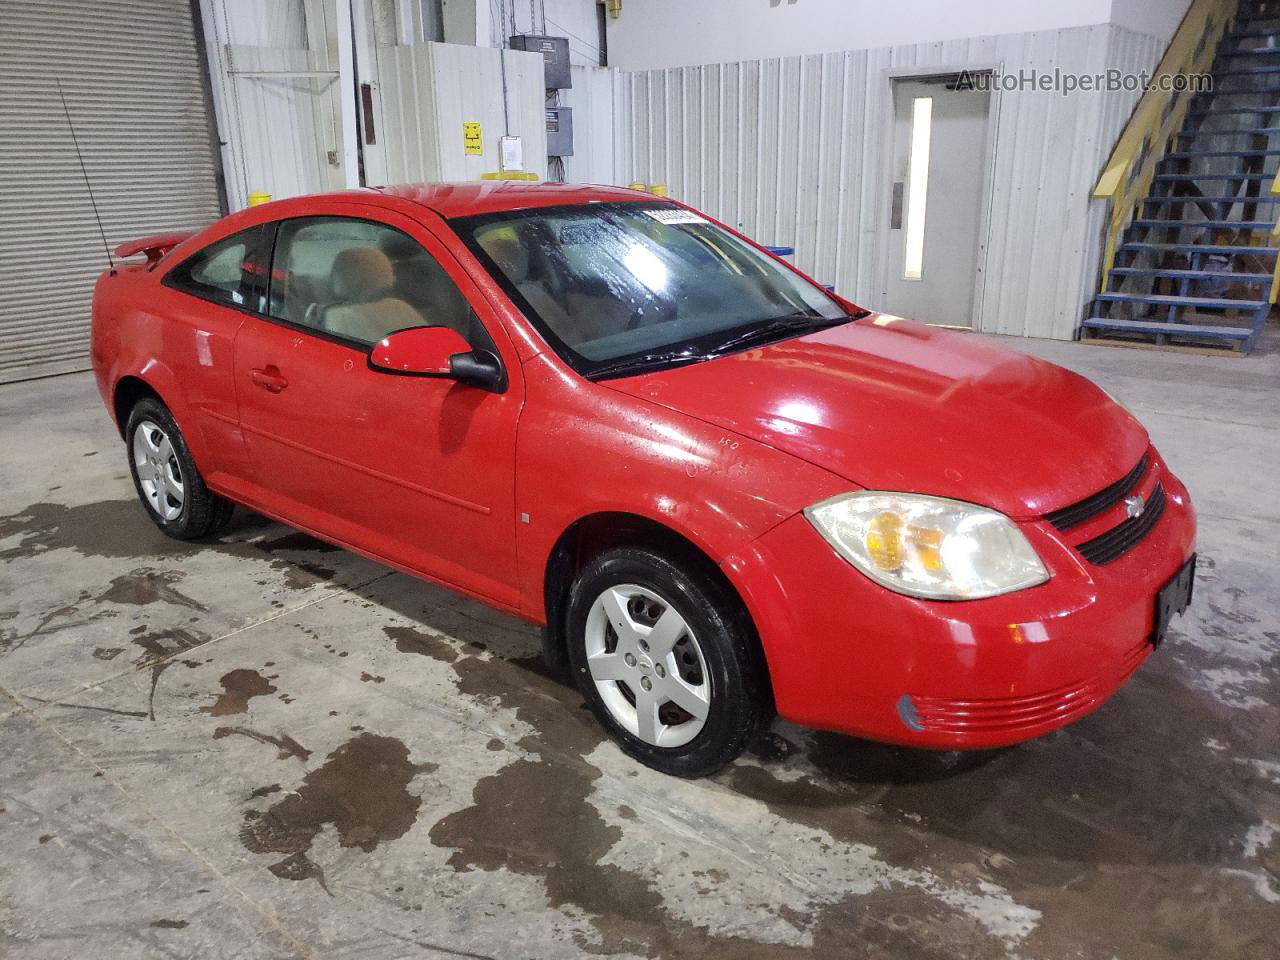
(1196, 266)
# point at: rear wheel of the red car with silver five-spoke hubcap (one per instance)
(166, 477)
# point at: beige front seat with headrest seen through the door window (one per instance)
(360, 285)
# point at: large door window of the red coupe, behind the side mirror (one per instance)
(363, 281)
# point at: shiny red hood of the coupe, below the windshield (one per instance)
(893, 405)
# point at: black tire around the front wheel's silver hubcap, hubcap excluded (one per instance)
(738, 693)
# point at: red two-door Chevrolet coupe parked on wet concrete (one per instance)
(723, 490)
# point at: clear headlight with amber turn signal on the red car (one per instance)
(929, 546)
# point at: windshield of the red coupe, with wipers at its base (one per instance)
(616, 289)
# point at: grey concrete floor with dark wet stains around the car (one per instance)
(267, 748)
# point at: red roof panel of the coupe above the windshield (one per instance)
(452, 200)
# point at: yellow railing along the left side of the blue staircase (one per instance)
(1158, 118)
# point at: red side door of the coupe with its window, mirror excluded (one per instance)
(414, 470)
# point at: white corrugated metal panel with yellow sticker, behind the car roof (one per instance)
(427, 92)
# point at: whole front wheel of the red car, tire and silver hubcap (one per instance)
(666, 661)
